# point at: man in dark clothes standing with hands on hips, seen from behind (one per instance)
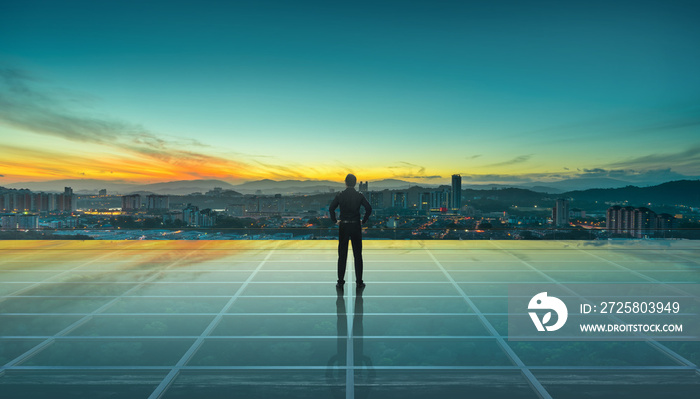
(350, 227)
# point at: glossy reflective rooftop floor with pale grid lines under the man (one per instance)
(262, 319)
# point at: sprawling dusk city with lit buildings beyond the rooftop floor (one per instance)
(446, 212)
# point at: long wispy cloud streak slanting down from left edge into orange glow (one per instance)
(28, 104)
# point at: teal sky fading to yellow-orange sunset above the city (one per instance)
(499, 92)
